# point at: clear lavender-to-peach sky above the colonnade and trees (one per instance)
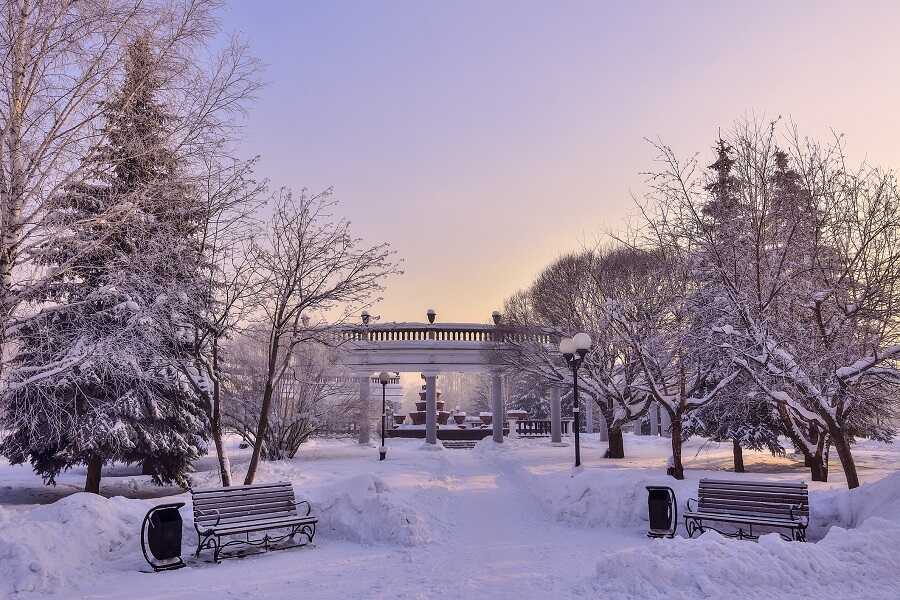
(483, 139)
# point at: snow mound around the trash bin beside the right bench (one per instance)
(611, 497)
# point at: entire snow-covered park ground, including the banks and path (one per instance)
(499, 522)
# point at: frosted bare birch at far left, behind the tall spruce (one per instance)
(61, 61)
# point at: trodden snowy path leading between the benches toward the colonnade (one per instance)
(492, 541)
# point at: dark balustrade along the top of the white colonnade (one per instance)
(421, 332)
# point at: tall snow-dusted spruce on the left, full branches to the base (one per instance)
(123, 400)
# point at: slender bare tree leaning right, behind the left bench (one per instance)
(310, 264)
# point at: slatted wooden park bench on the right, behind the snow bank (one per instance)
(745, 504)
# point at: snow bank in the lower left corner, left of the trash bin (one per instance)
(60, 545)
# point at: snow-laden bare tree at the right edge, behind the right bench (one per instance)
(800, 282)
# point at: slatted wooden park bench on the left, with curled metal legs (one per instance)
(240, 510)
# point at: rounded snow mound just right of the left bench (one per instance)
(364, 509)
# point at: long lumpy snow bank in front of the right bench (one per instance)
(860, 563)
